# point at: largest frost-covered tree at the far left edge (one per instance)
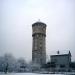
(7, 63)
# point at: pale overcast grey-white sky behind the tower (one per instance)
(17, 17)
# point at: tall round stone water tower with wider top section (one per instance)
(39, 43)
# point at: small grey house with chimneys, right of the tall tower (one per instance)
(62, 61)
